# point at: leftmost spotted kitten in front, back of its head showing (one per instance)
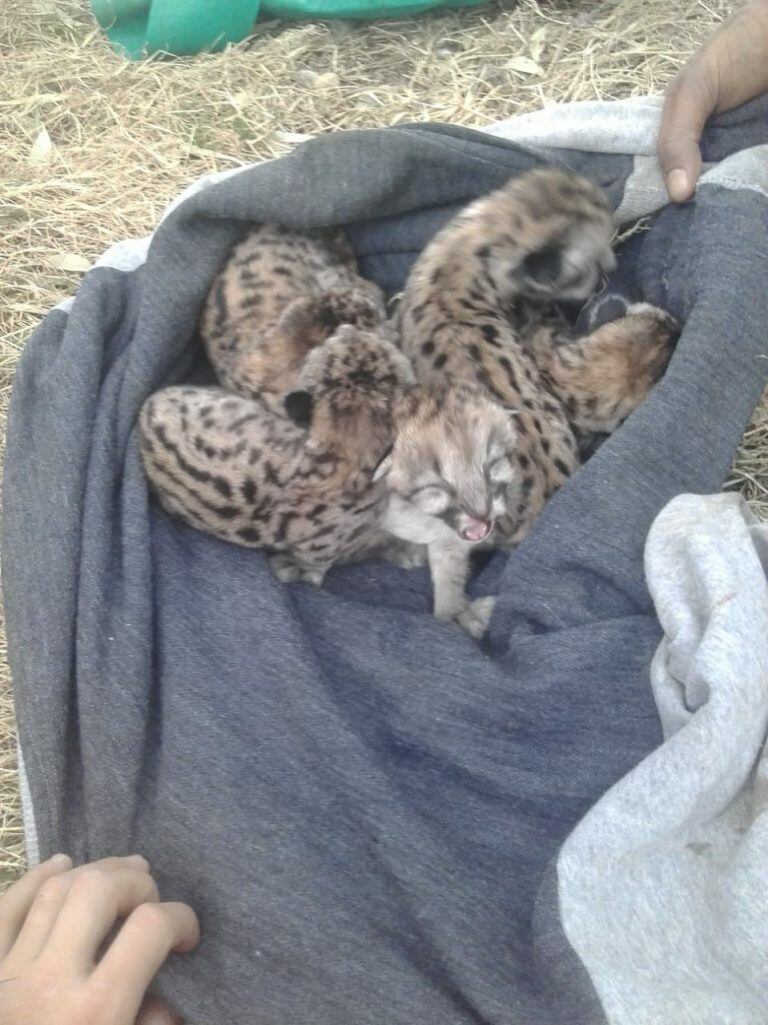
(302, 487)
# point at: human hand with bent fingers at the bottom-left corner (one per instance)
(55, 969)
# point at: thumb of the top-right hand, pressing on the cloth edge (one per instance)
(688, 106)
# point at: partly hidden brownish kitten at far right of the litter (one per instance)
(604, 377)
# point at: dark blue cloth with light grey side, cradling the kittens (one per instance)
(380, 821)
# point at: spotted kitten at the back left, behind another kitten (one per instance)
(278, 296)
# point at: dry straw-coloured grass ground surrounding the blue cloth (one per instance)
(93, 148)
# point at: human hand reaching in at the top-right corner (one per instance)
(731, 69)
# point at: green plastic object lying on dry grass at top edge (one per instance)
(138, 28)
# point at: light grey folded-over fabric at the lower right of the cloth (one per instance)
(663, 884)
